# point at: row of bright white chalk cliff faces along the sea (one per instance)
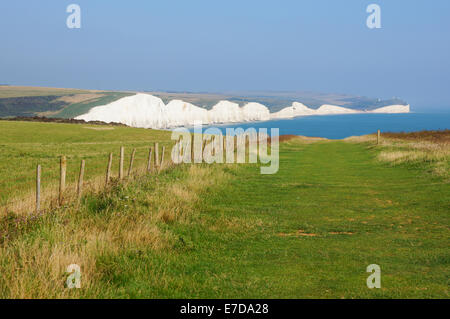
(147, 111)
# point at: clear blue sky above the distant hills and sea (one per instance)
(212, 45)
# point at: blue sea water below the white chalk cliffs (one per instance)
(341, 126)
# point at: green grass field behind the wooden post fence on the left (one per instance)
(24, 145)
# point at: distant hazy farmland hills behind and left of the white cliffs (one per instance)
(70, 103)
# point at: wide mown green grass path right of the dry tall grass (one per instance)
(309, 231)
